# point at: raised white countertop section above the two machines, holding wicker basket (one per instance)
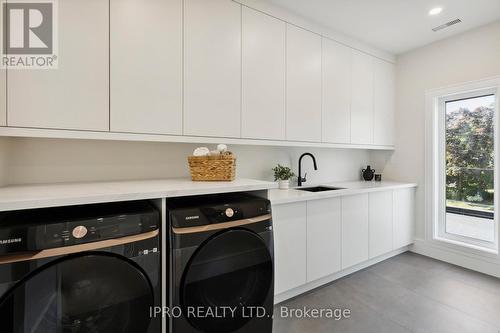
(53, 195)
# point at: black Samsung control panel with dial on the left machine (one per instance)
(34, 230)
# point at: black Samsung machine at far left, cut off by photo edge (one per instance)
(85, 269)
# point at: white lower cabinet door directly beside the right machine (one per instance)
(289, 223)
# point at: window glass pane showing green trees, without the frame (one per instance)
(469, 167)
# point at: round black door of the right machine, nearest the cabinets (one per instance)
(232, 271)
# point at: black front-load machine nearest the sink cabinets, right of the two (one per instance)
(221, 264)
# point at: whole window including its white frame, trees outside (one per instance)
(463, 159)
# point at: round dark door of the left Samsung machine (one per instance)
(85, 293)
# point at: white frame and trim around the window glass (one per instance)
(436, 163)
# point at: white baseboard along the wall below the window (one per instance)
(486, 265)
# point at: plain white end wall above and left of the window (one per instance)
(471, 56)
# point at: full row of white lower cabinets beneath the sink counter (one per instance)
(316, 239)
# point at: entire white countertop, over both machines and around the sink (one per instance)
(53, 195)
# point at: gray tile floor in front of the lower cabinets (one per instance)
(407, 293)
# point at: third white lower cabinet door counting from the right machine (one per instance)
(354, 230)
